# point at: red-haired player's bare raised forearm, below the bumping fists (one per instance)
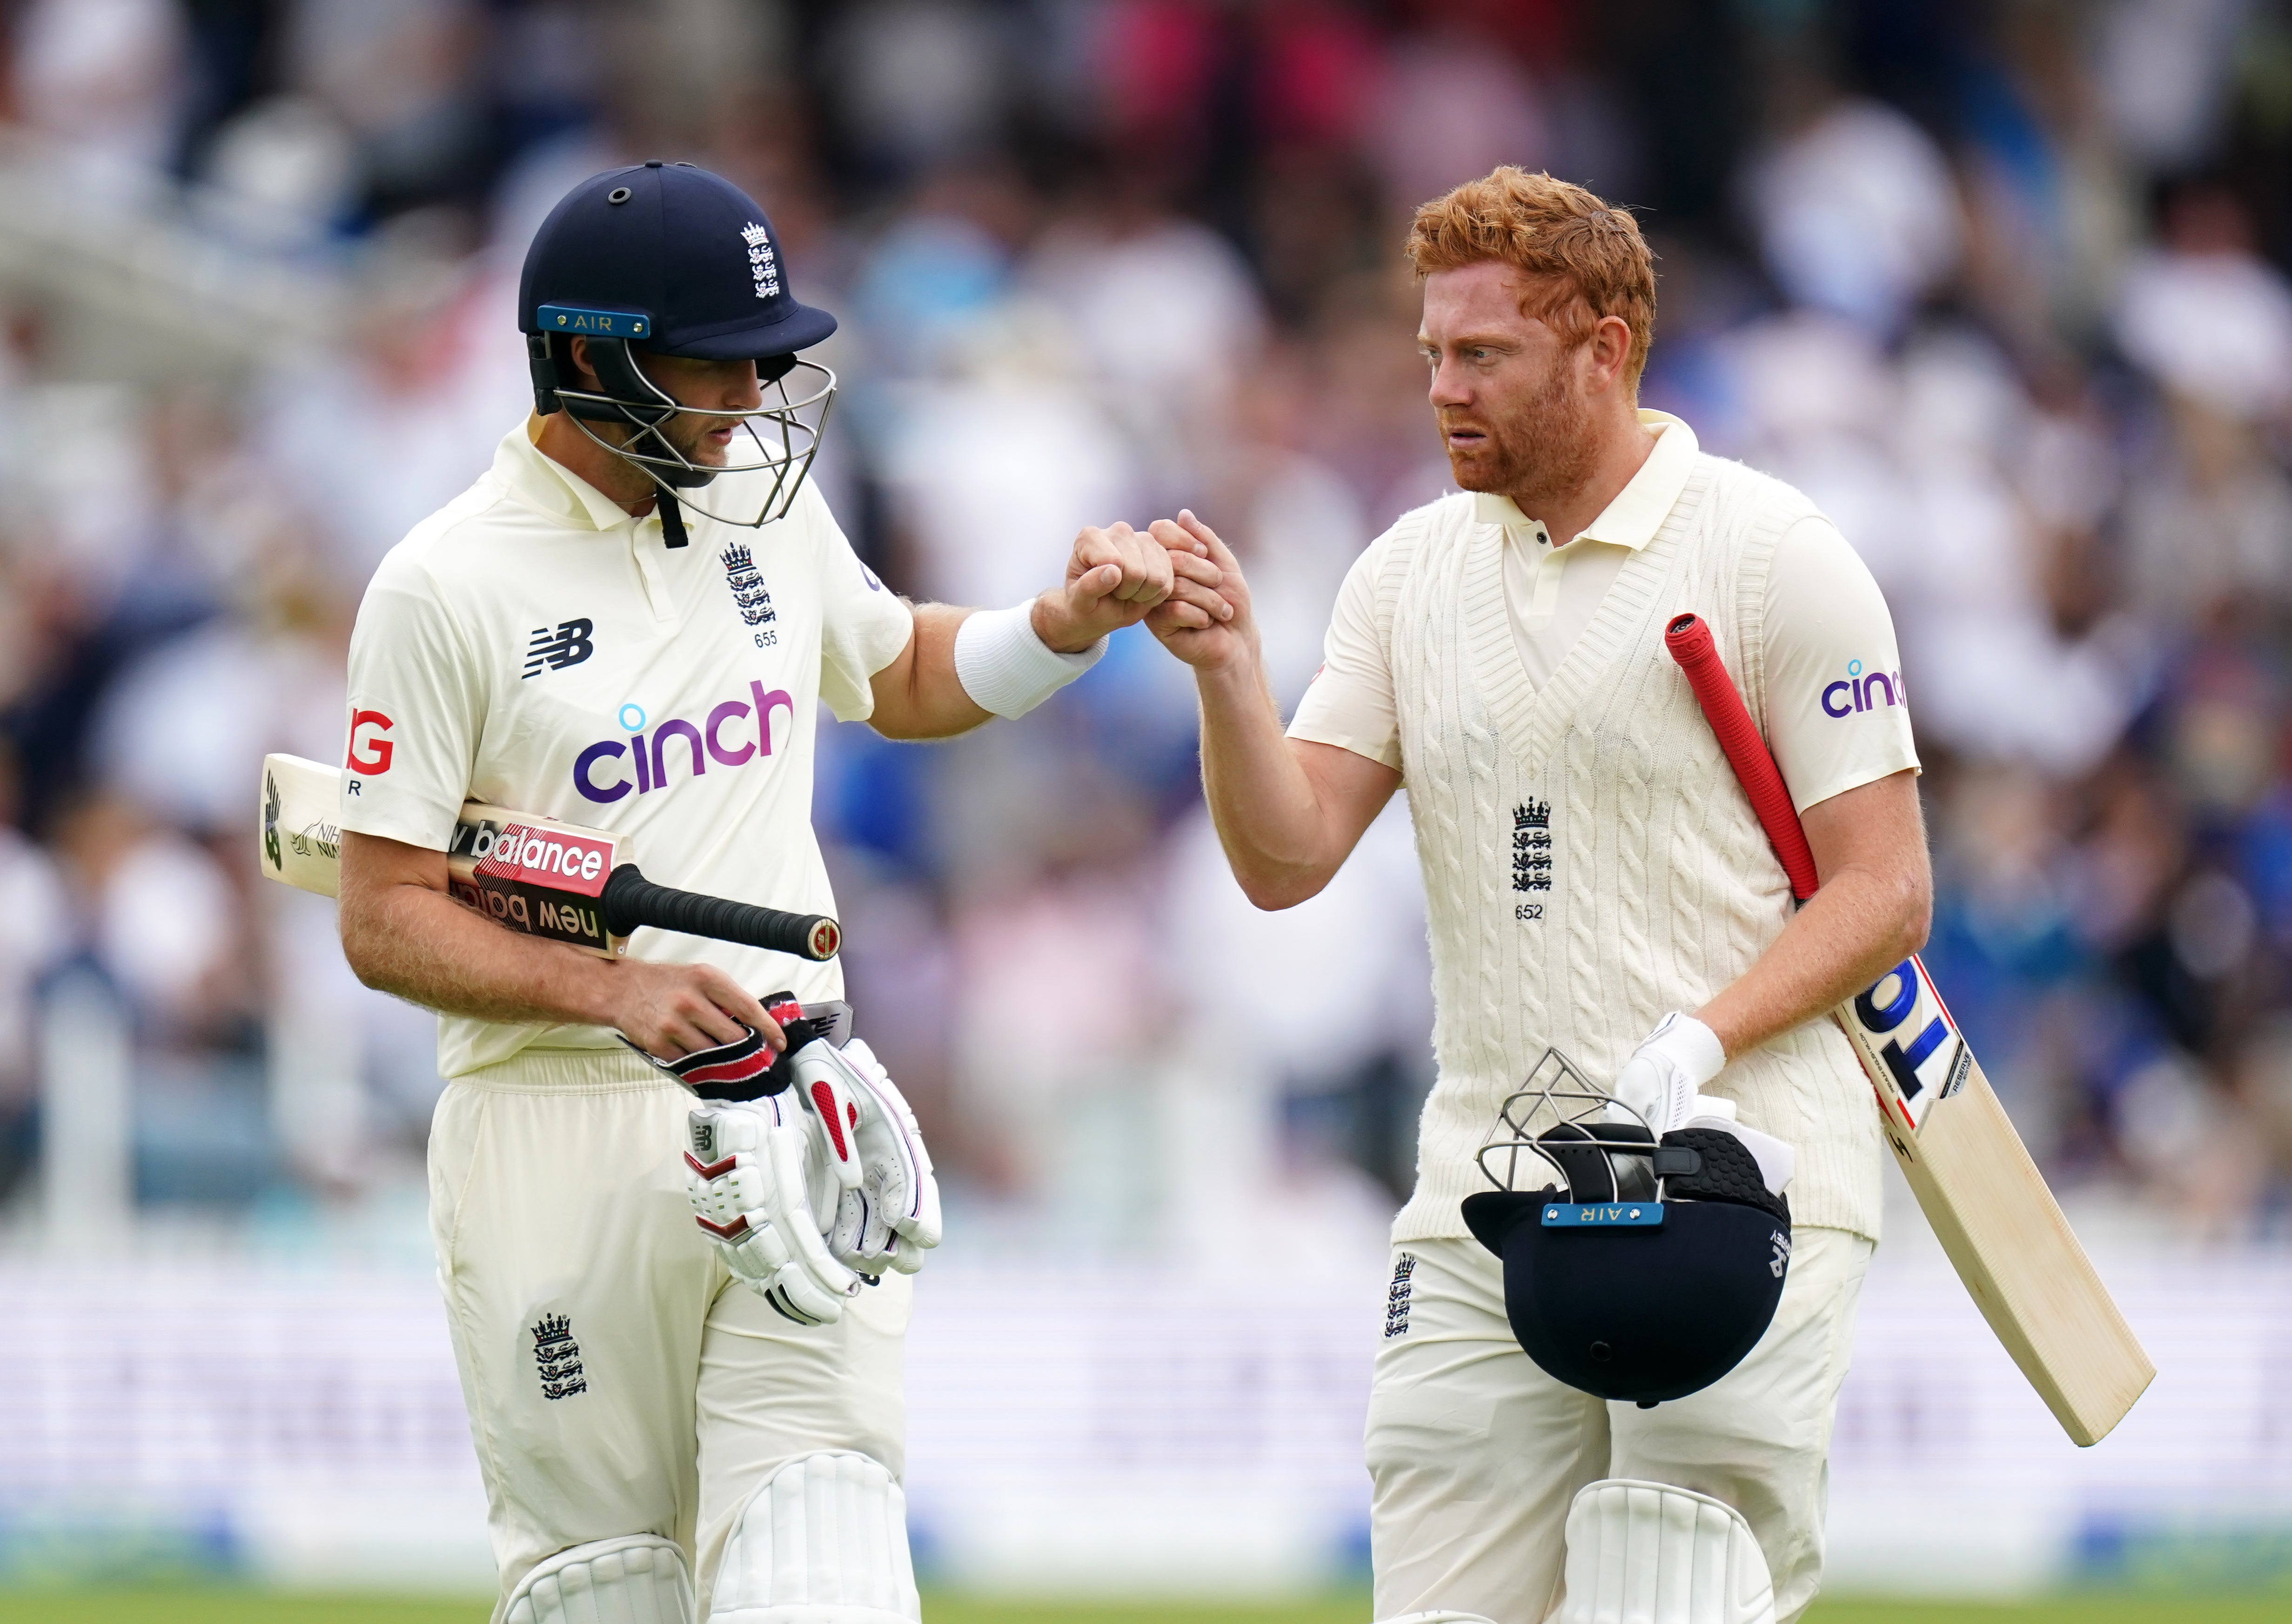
(1262, 801)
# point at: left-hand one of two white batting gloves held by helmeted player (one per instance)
(753, 1169)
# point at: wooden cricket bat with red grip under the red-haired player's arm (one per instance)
(1970, 1172)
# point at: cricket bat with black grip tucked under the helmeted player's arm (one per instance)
(537, 876)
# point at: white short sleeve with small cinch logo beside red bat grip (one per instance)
(1837, 709)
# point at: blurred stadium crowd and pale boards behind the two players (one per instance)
(2000, 283)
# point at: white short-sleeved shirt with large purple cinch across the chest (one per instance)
(535, 647)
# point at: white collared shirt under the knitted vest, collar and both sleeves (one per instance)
(1837, 711)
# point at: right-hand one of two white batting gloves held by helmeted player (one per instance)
(888, 1213)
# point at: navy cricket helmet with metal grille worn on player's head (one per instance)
(673, 260)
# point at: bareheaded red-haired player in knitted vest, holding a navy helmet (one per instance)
(1603, 908)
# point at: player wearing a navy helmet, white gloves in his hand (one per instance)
(680, 1341)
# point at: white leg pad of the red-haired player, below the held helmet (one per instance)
(1654, 1554)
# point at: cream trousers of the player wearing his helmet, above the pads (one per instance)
(620, 1380)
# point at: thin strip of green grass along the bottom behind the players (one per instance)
(256, 1607)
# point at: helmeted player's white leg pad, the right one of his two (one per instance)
(824, 1543)
